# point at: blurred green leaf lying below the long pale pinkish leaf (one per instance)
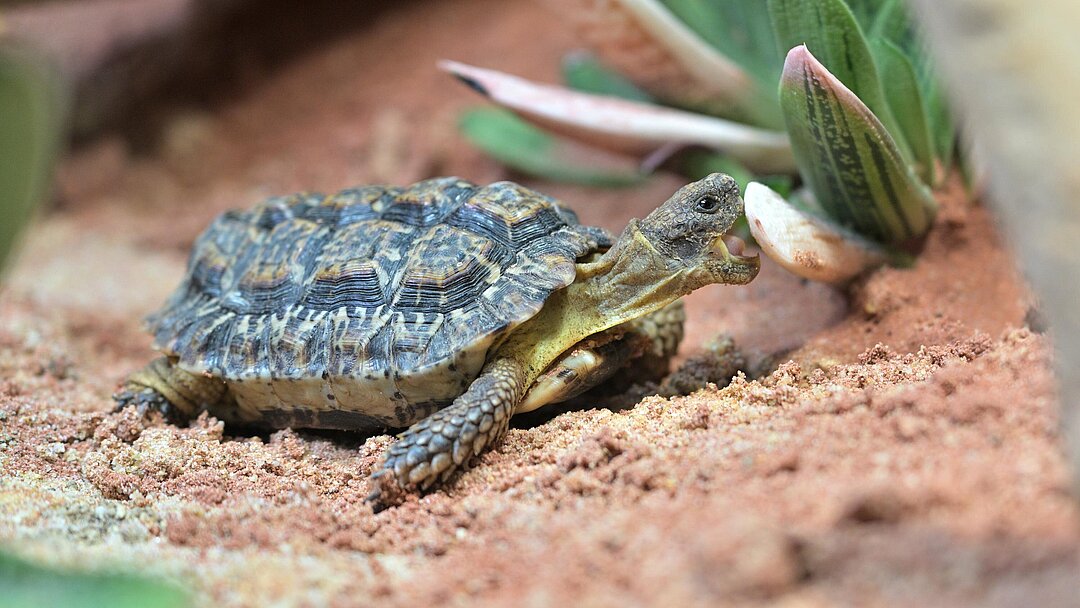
(519, 145)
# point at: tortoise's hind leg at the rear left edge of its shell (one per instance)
(166, 388)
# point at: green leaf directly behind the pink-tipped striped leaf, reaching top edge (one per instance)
(830, 30)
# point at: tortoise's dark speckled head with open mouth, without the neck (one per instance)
(692, 228)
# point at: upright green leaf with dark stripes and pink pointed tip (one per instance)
(847, 157)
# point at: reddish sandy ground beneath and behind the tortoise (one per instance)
(904, 454)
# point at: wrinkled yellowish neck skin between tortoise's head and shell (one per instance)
(631, 280)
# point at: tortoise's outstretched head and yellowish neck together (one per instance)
(680, 248)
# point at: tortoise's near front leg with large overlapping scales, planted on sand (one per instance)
(435, 449)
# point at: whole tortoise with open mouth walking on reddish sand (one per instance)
(443, 307)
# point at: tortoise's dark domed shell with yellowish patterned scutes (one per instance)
(372, 307)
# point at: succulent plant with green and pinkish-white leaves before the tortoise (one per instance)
(840, 93)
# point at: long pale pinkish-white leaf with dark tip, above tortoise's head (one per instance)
(623, 125)
